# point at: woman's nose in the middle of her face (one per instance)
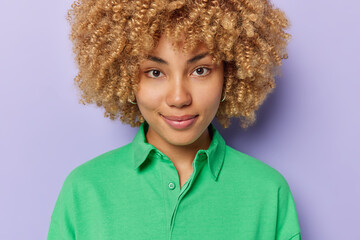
(178, 94)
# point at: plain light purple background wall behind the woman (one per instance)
(308, 129)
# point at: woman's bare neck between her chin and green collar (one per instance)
(181, 156)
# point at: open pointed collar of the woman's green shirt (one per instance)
(215, 153)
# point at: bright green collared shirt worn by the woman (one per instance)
(133, 192)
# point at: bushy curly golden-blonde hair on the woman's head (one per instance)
(111, 37)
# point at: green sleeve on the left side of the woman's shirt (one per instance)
(62, 219)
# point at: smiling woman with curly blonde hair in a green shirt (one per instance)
(170, 67)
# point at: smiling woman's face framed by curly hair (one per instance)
(179, 94)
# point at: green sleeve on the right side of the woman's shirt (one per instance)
(287, 220)
